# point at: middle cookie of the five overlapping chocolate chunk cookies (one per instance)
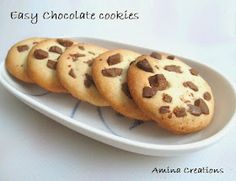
(74, 72)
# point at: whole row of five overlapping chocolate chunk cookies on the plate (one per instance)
(156, 87)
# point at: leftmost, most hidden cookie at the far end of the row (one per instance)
(16, 59)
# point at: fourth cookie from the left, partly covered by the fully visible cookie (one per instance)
(109, 72)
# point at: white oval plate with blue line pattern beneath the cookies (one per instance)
(105, 125)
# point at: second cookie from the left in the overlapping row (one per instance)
(42, 62)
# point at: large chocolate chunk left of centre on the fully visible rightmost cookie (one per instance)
(158, 81)
